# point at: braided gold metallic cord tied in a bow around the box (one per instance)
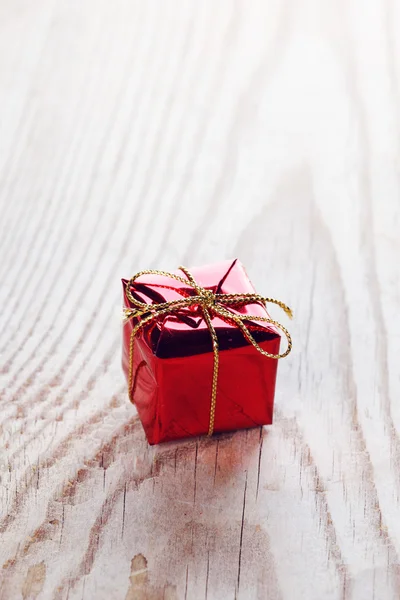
(211, 305)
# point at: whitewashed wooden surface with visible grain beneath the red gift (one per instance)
(148, 134)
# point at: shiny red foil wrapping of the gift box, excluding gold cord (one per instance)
(173, 359)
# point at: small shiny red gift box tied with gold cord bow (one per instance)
(199, 351)
